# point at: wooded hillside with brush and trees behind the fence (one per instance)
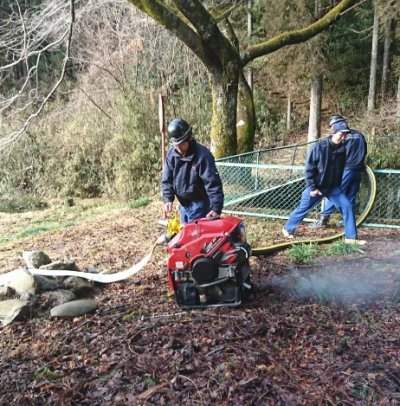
(81, 83)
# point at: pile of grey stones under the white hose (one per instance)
(23, 295)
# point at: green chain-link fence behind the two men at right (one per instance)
(269, 183)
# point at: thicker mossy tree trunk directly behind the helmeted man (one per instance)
(223, 122)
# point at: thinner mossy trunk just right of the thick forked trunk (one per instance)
(246, 117)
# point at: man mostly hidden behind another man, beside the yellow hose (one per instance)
(356, 151)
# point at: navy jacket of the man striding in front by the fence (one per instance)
(324, 165)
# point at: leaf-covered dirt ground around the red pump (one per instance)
(322, 333)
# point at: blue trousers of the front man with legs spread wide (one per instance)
(337, 197)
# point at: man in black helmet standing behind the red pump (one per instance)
(190, 175)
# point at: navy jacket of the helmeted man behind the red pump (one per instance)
(192, 177)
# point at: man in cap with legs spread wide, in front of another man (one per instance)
(324, 168)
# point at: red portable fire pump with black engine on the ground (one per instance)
(208, 263)
